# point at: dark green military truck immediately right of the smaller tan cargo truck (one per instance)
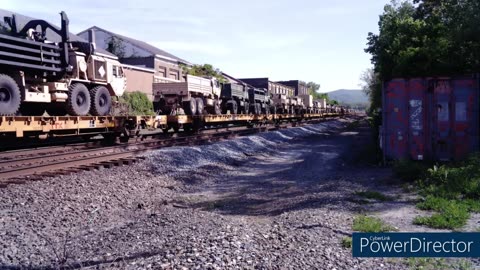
(234, 98)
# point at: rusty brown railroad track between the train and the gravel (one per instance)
(21, 166)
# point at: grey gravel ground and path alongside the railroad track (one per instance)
(279, 200)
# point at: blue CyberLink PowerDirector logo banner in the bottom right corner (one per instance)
(416, 244)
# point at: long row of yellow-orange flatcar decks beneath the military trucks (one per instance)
(57, 126)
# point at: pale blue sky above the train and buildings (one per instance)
(316, 40)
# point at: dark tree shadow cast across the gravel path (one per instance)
(316, 172)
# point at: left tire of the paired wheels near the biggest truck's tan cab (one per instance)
(78, 101)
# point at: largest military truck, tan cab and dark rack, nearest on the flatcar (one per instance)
(62, 77)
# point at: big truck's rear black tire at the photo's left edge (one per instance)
(10, 96)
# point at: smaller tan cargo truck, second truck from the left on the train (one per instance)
(195, 96)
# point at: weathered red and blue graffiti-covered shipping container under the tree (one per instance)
(433, 118)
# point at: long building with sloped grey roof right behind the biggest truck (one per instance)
(140, 59)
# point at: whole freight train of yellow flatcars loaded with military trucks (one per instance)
(77, 86)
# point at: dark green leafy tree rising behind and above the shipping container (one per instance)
(424, 38)
